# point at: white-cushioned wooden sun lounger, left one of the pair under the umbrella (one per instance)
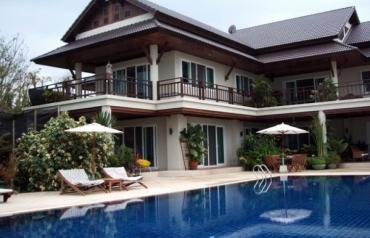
(76, 180)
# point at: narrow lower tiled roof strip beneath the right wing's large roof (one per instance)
(304, 52)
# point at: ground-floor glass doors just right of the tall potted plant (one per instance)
(215, 145)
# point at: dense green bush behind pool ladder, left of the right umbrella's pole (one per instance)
(255, 148)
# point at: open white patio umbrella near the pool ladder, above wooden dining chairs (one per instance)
(282, 129)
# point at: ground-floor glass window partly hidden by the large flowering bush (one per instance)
(143, 141)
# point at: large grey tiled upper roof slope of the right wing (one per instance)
(311, 27)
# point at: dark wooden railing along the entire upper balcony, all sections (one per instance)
(182, 87)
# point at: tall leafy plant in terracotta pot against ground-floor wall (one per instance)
(194, 138)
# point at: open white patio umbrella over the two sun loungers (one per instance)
(94, 128)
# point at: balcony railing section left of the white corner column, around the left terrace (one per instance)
(89, 87)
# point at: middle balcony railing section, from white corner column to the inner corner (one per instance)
(202, 90)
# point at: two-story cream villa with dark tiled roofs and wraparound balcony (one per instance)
(156, 70)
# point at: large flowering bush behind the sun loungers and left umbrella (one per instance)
(41, 154)
